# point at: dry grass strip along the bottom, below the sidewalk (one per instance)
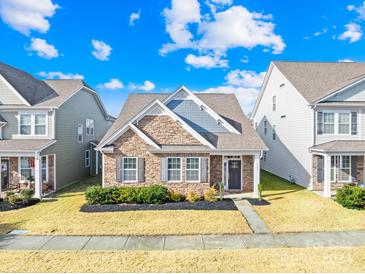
(249, 260)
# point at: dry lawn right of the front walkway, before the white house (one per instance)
(293, 208)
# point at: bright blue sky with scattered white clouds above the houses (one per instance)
(208, 46)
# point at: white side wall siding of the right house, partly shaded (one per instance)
(288, 155)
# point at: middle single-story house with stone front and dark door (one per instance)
(186, 141)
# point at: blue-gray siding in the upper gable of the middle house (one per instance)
(198, 119)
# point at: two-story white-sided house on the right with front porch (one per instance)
(311, 115)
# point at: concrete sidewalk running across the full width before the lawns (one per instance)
(193, 242)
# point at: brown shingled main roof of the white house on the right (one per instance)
(316, 80)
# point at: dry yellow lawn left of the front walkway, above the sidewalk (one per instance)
(61, 216)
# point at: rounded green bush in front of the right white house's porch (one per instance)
(352, 197)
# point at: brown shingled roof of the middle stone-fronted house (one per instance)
(225, 105)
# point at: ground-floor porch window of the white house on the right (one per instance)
(341, 168)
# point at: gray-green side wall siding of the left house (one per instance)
(70, 154)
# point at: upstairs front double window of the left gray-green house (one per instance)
(33, 124)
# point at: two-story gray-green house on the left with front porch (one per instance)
(48, 131)
